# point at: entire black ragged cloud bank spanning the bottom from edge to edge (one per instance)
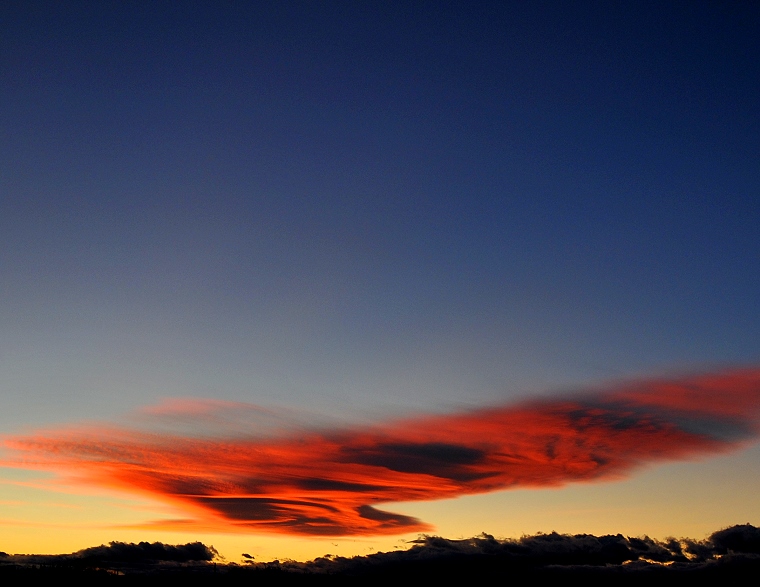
(734, 549)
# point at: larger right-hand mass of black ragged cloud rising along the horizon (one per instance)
(484, 555)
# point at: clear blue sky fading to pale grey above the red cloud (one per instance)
(358, 206)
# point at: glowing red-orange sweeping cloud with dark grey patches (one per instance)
(329, 481)
